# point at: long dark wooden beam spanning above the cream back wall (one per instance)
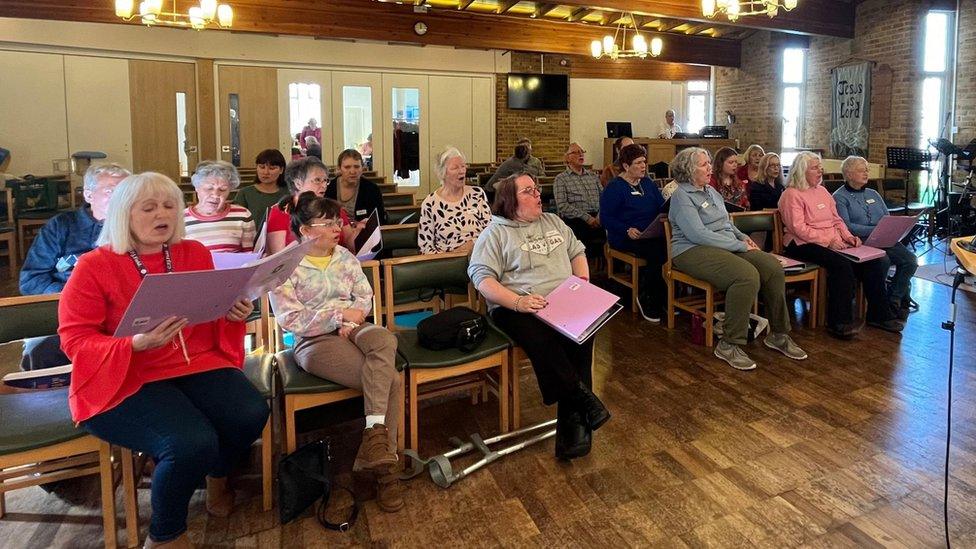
(389, 22)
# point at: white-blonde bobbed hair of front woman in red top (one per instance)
(117, 229)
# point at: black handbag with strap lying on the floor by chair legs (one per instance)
(304, 477)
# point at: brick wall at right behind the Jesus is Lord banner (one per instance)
(886, 31)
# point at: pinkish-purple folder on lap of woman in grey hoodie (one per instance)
(577, 309)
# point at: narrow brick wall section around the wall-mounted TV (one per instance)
(549, 139)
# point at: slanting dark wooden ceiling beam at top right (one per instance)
(811, 17)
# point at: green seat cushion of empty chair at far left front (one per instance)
(34, 420)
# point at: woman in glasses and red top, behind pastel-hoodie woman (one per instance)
(307, 174)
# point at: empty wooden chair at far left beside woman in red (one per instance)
(39, 442)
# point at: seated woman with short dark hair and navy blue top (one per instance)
(628, 206)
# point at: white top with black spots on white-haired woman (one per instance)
(445, 226)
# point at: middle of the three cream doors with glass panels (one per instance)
(357, 111)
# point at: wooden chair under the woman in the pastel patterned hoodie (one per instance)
(302, 390)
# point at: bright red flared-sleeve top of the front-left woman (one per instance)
(106, 370)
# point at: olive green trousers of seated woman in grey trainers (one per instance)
(741, 276)
